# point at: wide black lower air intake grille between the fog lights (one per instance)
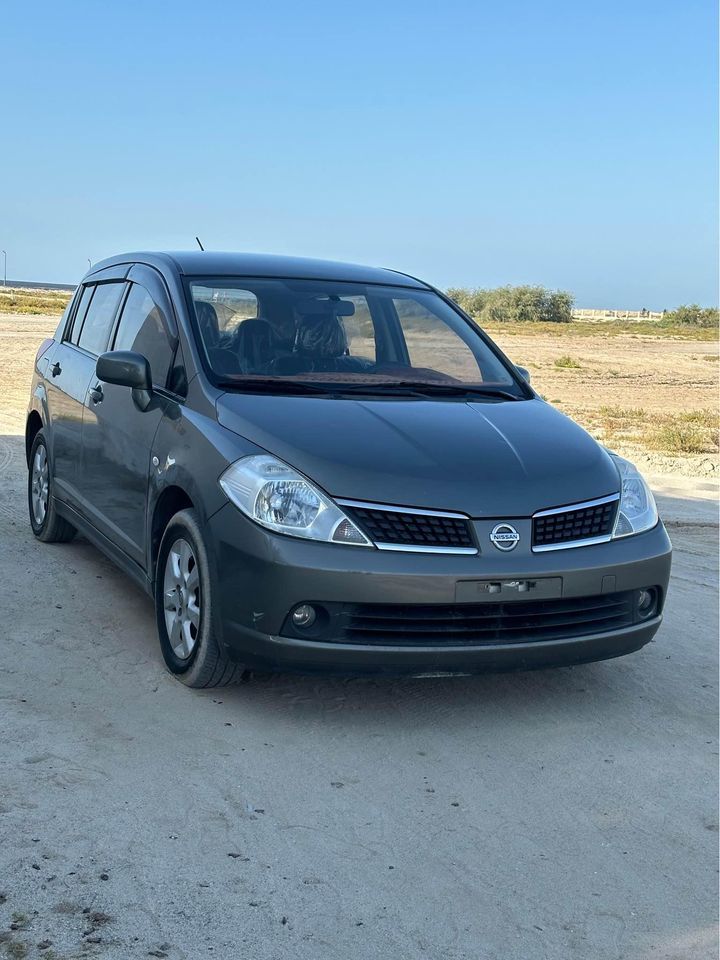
(521, 621)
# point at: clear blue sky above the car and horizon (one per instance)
(565, 143)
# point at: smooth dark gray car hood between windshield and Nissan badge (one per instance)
(485, 459)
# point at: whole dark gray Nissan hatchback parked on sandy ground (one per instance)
(319, 466)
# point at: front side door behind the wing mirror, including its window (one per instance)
(117, 434)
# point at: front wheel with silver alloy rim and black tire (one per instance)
(185, 610)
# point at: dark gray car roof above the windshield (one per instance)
(200, 263)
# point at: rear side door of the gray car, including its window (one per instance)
(68, 378)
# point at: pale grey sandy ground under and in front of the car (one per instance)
(541, 816)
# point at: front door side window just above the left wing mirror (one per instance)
(143, 328)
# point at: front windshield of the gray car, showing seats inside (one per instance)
(318, 335)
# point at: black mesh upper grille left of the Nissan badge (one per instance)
(411, 529)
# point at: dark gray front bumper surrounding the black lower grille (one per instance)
(259, 577)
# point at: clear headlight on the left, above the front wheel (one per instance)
(273, 494)
